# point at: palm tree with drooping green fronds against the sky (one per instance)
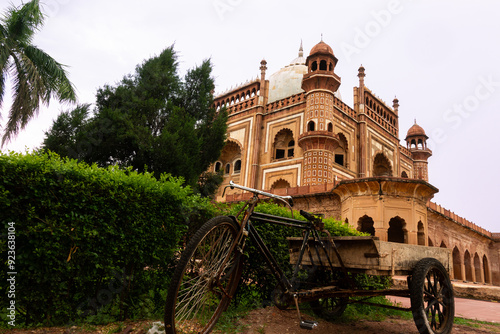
(36, 76)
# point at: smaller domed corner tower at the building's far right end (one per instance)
(416, 142)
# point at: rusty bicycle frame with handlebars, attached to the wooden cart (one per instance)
(311, 231)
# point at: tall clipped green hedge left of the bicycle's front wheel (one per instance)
(89, 242)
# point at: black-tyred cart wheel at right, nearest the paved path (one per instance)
(432, 301)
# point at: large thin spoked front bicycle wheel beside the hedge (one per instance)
(204, 280)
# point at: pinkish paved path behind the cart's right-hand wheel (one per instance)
(467, 308)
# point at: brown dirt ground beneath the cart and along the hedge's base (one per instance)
(271, 320)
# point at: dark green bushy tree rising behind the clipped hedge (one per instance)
(151, 120)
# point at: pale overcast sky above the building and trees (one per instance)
(439, 58)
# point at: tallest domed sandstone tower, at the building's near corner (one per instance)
(318, 141)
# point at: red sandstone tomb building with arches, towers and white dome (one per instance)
(292, 134)
